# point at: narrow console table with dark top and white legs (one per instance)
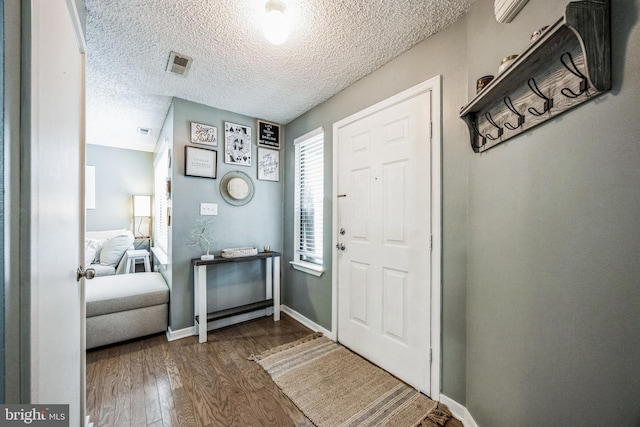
(272, 290)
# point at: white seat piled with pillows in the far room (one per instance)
(106, 251)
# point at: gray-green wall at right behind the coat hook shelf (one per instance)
(553, 303)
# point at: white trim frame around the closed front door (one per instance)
(433, 85)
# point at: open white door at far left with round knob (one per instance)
(56, 203)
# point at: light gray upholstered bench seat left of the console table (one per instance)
(125, 306)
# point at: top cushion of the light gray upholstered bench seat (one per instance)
(112, 294)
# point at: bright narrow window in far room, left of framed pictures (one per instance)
(161, 201)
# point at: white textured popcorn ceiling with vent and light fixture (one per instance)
(333, 43)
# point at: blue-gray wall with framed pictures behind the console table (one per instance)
(257, 223)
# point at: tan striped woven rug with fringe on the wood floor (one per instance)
(334, 387)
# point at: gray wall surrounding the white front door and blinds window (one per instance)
(443, 54)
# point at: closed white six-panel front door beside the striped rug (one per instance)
(384, 223)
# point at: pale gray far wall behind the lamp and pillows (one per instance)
(120, 174)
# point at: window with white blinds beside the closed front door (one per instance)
(308, 203)
